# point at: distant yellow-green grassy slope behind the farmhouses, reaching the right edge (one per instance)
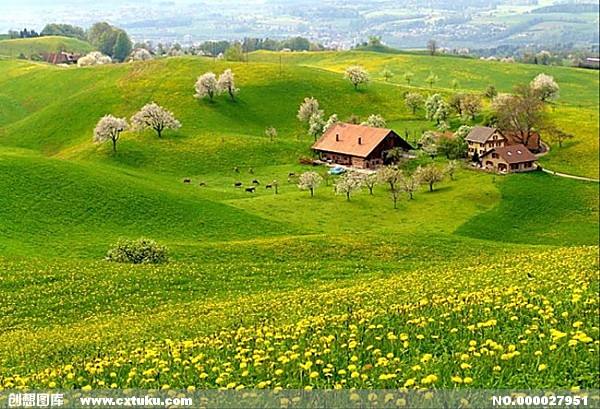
(576, 110)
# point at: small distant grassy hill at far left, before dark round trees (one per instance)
(13, 48)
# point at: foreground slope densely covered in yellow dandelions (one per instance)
(528, 321)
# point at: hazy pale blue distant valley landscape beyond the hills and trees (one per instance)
(463, 26)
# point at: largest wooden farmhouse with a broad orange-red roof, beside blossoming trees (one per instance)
(357, 145)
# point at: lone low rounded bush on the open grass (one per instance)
(140, 251)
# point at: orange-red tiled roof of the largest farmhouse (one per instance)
(350, 139)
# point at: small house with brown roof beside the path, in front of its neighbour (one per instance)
(509, 159)
